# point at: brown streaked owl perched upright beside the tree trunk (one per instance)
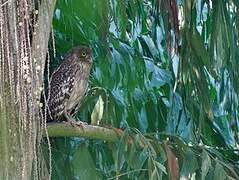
(68, 84)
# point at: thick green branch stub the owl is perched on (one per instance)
(86, 131)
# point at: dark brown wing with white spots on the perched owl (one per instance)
(60, 87)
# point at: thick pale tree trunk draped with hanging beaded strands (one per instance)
(24, 33)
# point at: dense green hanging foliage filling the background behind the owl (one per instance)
(167, 74)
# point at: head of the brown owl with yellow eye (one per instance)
(82, 53)
